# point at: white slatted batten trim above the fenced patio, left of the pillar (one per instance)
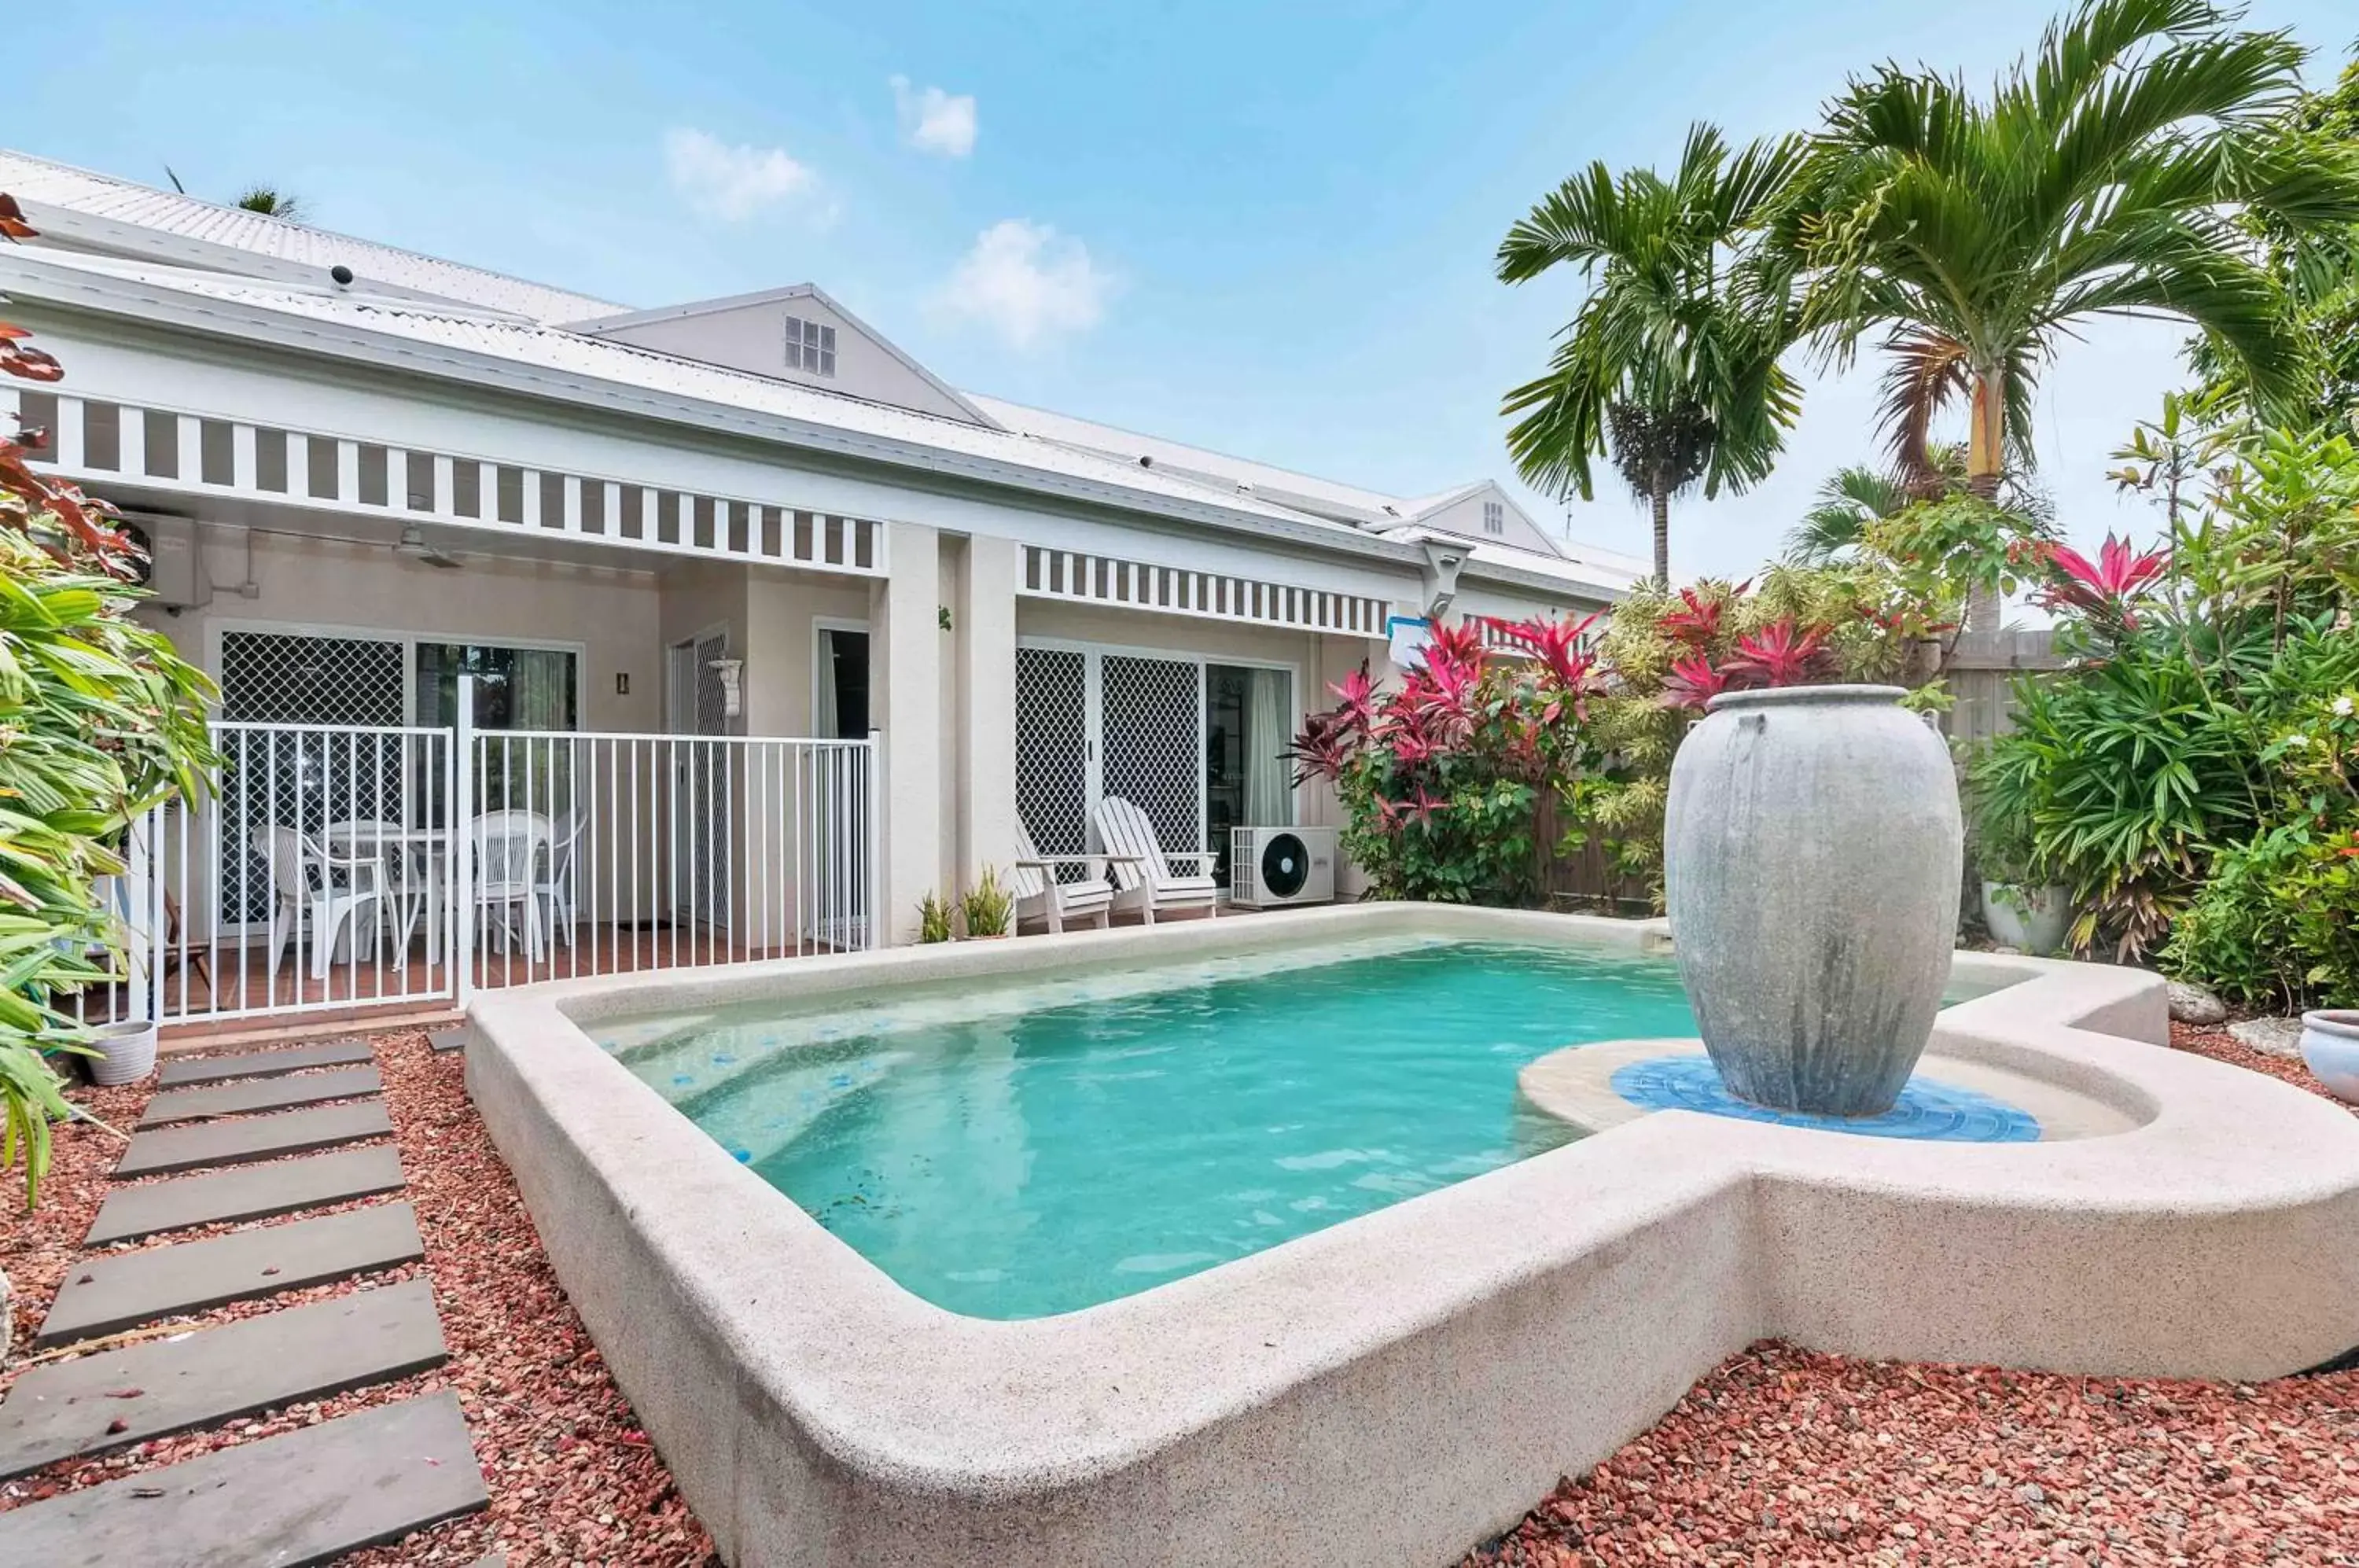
(185, 454)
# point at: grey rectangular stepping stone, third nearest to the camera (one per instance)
(114, 1293)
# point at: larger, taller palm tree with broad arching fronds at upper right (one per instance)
(2101, 178)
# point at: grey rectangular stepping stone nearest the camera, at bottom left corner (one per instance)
(301, 1498)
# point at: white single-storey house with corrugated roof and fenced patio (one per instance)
(770, 631)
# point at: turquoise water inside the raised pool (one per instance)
(1027, 1152)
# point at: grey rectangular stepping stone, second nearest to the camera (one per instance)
(159, 1388)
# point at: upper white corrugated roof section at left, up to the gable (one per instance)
(84, 209)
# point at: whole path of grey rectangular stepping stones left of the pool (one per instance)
(301, 1498)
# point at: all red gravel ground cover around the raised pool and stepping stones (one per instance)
(1778, 1456)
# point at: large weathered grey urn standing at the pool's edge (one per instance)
(1813, 857)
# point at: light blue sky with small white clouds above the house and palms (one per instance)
(1256, 228)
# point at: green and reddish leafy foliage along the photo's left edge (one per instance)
(100, 723)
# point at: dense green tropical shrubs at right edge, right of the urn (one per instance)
(2190, 777)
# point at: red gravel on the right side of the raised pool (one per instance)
(1794, 1458)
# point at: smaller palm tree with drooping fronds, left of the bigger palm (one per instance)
(1671, 362)
